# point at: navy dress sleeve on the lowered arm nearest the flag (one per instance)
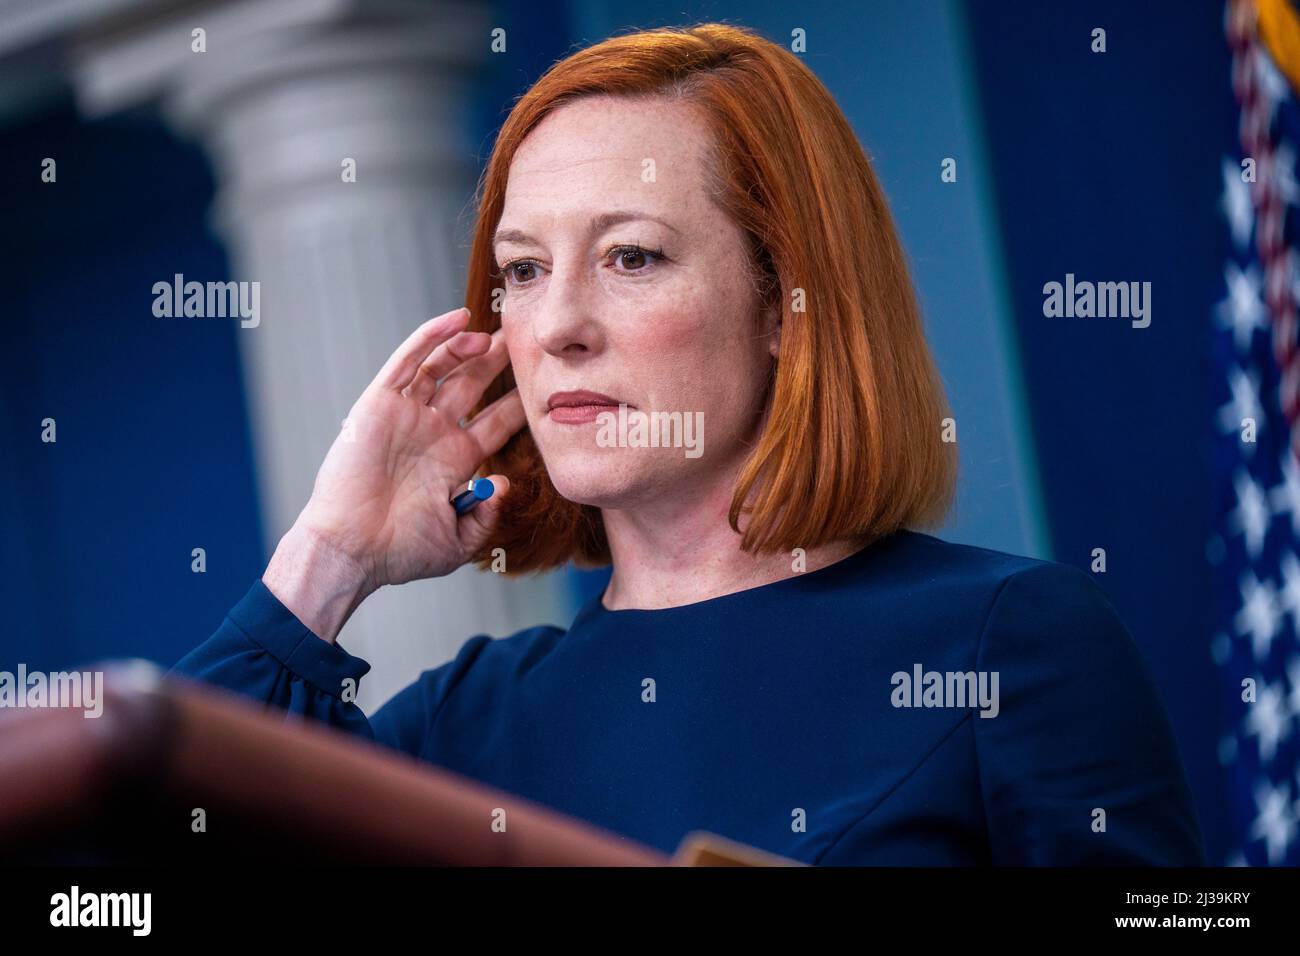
(1080, 767)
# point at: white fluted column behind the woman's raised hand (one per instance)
(348, 270)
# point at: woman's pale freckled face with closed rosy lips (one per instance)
(623, 279)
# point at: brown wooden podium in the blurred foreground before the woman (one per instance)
(135, 785)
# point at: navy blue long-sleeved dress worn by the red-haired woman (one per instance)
(791, 716)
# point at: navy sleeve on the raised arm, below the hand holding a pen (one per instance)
(265, 652)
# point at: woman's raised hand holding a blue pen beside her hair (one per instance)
(380, 512)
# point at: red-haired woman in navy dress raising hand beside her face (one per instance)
(683, 222)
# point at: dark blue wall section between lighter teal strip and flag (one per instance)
(1108, 166)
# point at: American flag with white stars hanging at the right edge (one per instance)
(1256, 448)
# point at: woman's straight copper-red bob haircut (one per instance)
(852, 445)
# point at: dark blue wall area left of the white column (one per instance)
(153, 453)
